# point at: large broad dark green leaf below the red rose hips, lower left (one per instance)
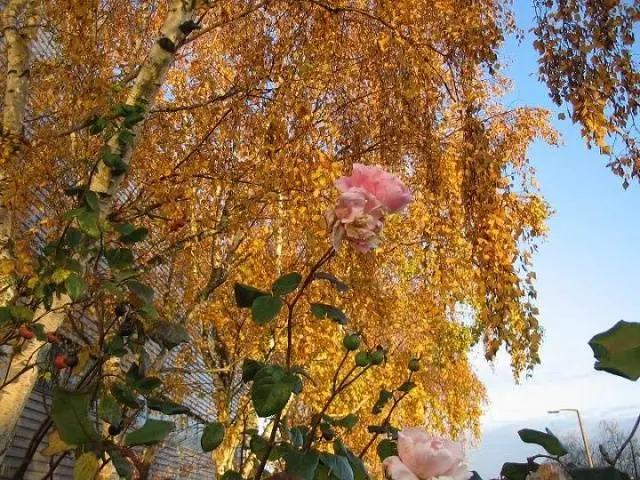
(70, 413)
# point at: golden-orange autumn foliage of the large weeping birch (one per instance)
(266, 106)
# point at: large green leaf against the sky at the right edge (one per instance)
(617, 350)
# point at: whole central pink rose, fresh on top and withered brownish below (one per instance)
(366, 198)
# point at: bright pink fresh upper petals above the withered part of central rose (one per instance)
(386, 188)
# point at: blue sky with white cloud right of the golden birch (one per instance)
(588, 272)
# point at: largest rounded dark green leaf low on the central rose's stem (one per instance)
(270, 392)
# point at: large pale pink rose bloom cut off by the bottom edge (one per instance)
(428, 457)
